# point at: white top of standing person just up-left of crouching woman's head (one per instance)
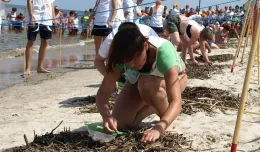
(103, 12)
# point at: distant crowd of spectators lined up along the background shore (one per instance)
(71, 21)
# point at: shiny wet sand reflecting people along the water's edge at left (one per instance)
(12, 68)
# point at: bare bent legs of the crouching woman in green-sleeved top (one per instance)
(135, 103)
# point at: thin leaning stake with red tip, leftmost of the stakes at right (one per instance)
(242, 34)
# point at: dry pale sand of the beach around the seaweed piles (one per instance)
(40, 104)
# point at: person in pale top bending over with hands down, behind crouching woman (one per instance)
(189, 32)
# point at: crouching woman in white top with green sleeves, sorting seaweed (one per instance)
(155, 80)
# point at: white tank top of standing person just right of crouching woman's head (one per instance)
(157, 19)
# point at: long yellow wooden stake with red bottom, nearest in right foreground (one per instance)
(246, 84)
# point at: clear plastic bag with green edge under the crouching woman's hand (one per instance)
(97, 133)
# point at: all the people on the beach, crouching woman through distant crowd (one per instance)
(144, 46)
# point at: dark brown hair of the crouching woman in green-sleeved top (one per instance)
(127, 44)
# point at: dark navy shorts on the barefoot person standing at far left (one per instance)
(45, 33)
